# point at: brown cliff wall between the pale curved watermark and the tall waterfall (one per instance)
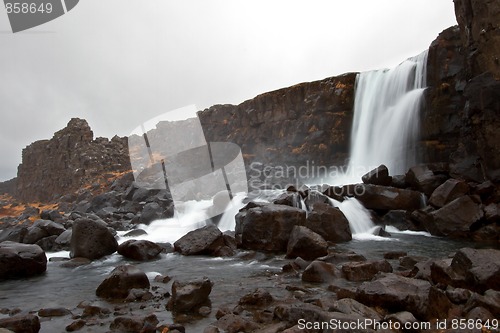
(308, 124)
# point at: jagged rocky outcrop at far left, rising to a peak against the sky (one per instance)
(70, 160)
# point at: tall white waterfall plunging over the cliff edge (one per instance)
(386, 117)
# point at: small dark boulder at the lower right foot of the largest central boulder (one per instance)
(306, 244)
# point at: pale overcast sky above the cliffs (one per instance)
(118, 63)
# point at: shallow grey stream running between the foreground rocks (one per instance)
(232, 277)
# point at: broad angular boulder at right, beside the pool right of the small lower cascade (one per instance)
(454, 219)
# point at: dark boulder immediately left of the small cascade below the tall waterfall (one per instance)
(329, 222)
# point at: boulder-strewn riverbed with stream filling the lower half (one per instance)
(291, 260)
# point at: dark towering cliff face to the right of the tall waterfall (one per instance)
(461, 120)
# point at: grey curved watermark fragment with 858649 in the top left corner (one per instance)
(27, 14)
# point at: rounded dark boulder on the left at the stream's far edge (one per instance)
(91, 239)
